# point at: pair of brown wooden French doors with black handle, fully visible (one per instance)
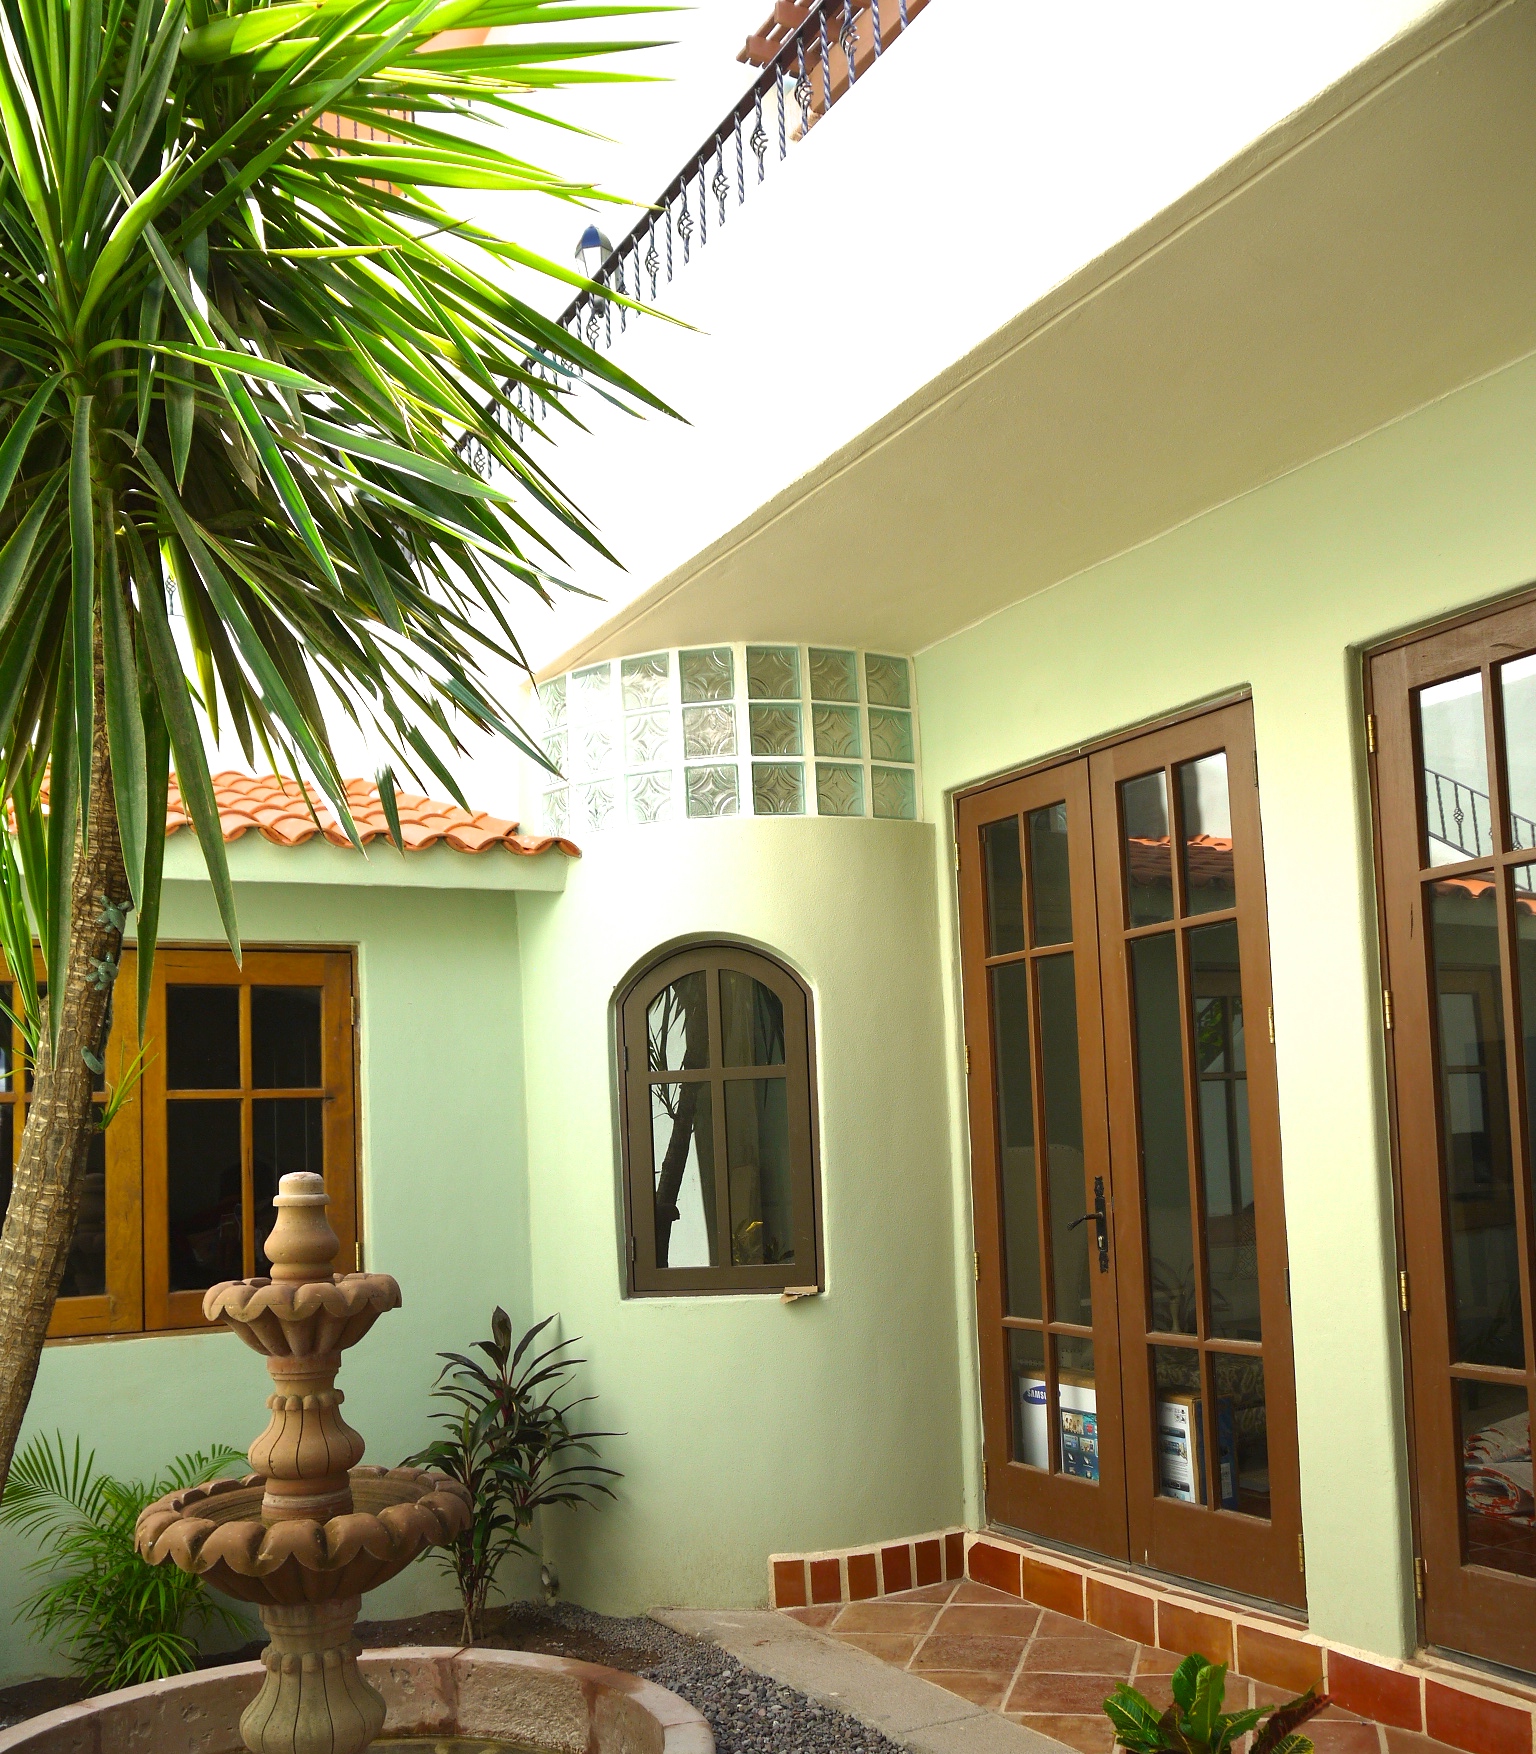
(1132, 1281)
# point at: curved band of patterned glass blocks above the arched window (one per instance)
(729, 731)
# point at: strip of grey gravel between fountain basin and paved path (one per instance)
(750, 1713)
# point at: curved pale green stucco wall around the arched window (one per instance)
(755, 1427)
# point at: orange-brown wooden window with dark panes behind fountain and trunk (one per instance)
(248, 1078)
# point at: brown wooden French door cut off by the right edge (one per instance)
(1456, 811)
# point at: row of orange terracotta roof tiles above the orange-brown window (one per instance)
(276, 808)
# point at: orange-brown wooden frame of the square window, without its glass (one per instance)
(136, 1299)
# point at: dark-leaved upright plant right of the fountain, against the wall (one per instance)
(509, 1441)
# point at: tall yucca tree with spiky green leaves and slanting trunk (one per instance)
(245, 348)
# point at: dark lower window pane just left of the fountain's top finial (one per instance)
(203, 1190)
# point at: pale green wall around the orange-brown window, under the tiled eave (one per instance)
(444, 1201)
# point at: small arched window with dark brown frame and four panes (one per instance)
(720, 1157)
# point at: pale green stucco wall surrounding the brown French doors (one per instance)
(1276, 592)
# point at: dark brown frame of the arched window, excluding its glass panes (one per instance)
(644, 1278)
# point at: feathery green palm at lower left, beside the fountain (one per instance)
(120, 1622)
